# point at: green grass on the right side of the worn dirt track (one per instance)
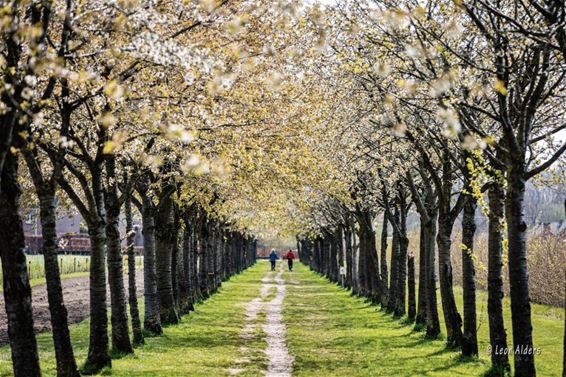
(332, 333)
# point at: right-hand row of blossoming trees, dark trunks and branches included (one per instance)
(447, 108)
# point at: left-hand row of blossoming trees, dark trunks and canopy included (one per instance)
(173, 110)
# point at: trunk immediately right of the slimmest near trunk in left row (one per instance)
(152, 320)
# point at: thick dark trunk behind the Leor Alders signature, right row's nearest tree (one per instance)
(524, 360)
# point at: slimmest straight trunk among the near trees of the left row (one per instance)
(132, 289)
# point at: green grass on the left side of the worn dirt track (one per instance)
(206, 343)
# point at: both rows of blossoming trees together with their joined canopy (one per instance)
(235, 118)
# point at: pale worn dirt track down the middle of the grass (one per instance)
(280, 362)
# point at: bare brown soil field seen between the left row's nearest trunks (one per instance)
(76, 296)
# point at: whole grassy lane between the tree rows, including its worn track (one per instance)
(326, 331)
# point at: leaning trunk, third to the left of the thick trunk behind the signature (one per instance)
(452, 318)
